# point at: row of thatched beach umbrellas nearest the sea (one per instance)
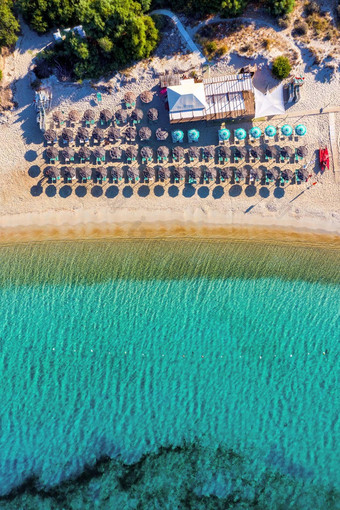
(244, 172)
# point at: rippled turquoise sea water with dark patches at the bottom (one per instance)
(239, 374)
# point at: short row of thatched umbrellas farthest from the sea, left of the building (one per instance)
(105, 115)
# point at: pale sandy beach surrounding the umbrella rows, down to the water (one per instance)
(28, 203)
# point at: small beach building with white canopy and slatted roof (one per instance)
(215, 98)
